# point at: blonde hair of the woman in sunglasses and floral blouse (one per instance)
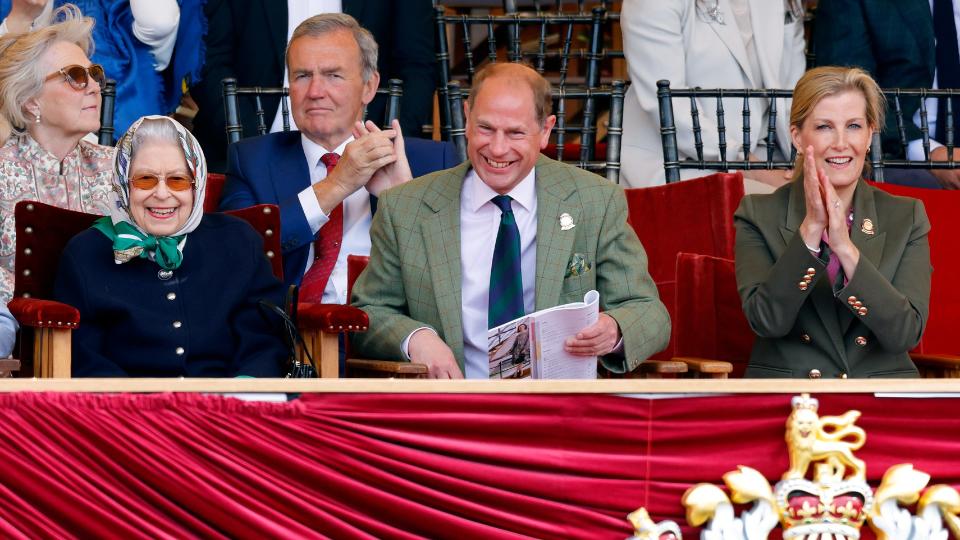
(22, 74)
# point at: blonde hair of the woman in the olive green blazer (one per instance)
(827, 81)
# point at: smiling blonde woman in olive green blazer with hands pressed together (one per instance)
(833, 273)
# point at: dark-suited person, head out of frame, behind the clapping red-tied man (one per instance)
(247, 40)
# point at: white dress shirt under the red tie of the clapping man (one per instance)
(357, 217)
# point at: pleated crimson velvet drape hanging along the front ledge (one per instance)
(401, 466)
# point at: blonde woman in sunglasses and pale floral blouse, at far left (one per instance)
(49, 100)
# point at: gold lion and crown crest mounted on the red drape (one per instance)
(823, 495)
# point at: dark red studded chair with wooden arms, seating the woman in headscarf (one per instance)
(42, 233)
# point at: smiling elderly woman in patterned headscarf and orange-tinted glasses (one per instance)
(162, 289)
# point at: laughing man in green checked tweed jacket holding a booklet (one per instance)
(427, 285)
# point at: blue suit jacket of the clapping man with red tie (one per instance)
(271, 169)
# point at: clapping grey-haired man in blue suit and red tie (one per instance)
(326, 177)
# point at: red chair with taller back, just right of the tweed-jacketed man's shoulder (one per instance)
(694, 216)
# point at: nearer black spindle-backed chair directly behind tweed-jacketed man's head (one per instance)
(585, 125)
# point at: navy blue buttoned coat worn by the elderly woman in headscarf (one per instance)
(202, 322)
